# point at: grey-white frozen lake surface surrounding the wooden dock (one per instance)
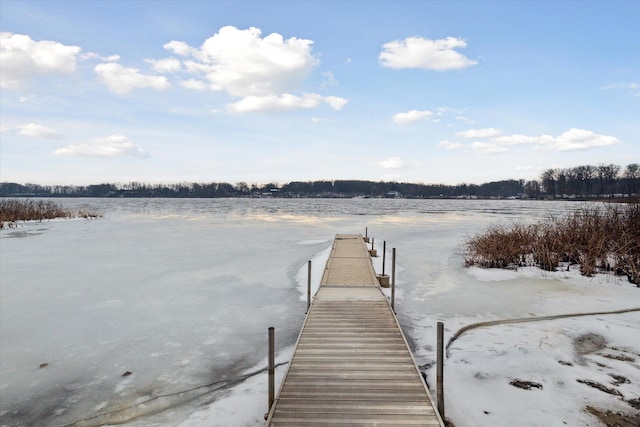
(155, 314)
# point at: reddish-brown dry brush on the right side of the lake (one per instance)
(596, 238)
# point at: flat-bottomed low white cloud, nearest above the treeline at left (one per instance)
(112, 146)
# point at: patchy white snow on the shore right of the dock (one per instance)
(483, 361)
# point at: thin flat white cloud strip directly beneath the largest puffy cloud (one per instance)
(286, 101)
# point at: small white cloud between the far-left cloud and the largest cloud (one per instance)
(123, 80)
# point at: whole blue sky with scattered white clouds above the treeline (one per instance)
(264, 91)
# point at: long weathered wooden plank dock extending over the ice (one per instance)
(352, 365)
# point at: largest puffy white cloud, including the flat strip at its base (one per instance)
(264, 72)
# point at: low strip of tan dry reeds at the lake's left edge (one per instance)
(14, 210)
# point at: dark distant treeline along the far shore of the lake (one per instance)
(583, 181)
